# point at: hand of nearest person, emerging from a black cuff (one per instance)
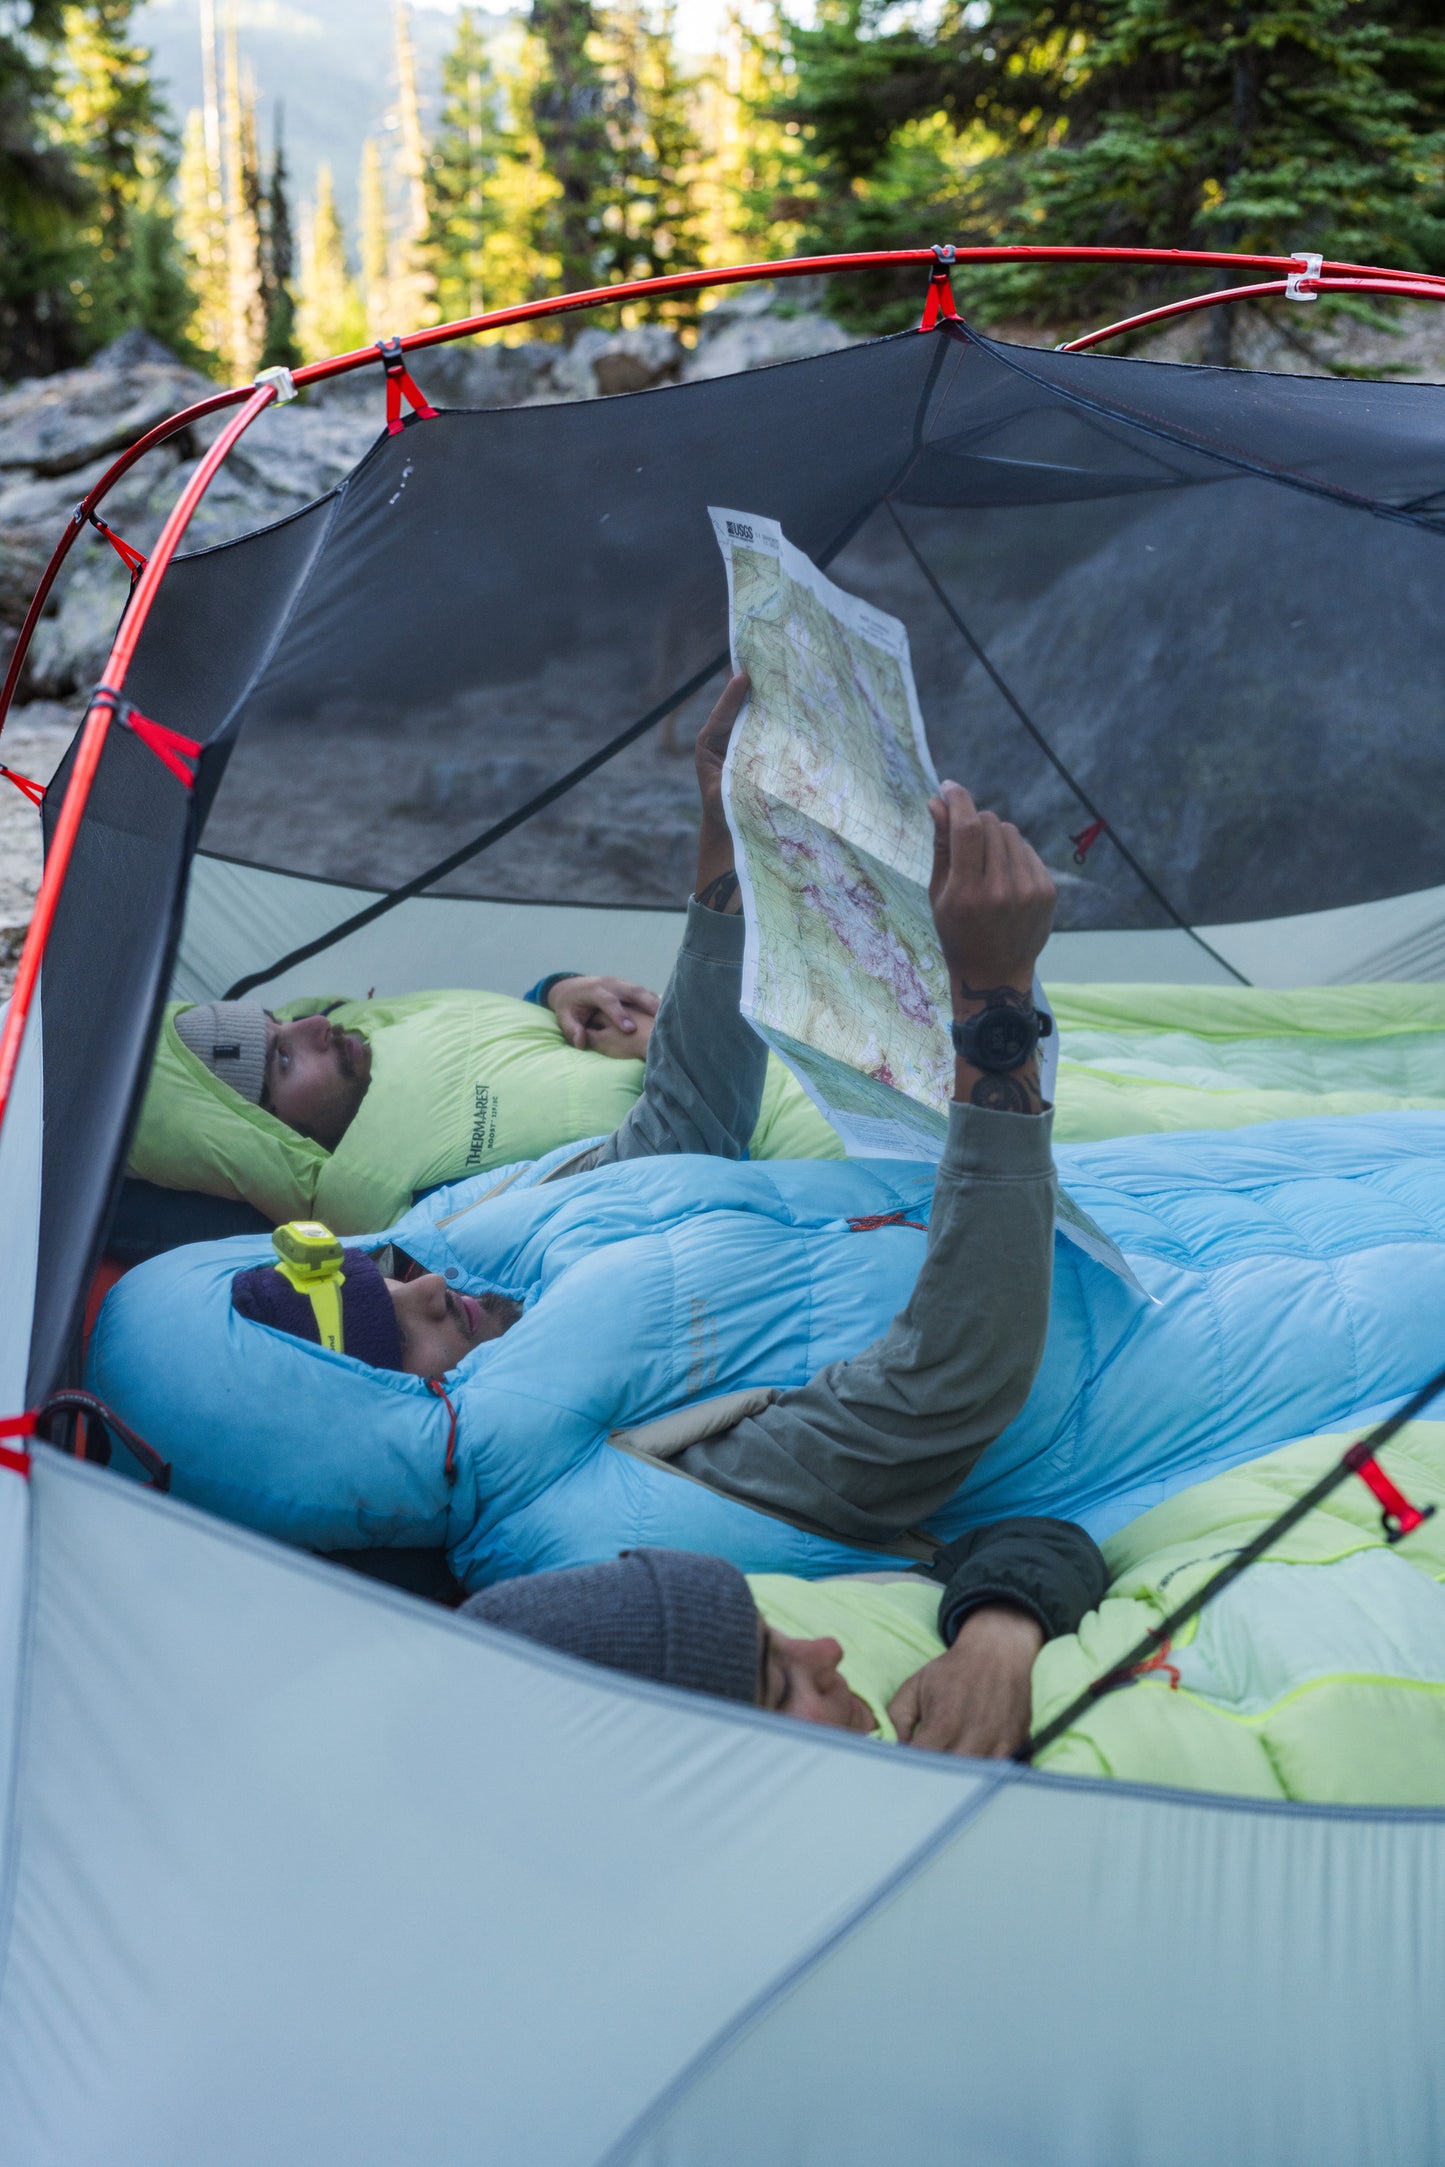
(976, 1698)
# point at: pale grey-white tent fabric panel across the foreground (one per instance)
(296, 1869)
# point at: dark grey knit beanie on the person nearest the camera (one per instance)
(658, 1613)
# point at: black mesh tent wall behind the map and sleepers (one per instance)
(1182, 610)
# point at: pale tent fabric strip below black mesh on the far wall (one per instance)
(242, 918)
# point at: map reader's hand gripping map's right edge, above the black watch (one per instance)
(991, 894)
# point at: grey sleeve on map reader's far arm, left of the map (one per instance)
(705, 1063)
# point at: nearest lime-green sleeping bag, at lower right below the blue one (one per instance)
(1320, 1674)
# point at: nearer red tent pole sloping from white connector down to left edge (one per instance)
(96, 729)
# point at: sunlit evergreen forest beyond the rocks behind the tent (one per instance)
(573, 146)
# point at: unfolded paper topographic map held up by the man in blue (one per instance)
(826, 790)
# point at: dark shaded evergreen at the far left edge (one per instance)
(42, 200)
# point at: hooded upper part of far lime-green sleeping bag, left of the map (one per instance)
(458, 1082)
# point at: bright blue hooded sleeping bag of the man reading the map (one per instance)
(1299, 1273)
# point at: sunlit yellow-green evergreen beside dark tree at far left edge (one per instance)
(120, 144)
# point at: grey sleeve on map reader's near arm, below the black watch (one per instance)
(876, 1444)
